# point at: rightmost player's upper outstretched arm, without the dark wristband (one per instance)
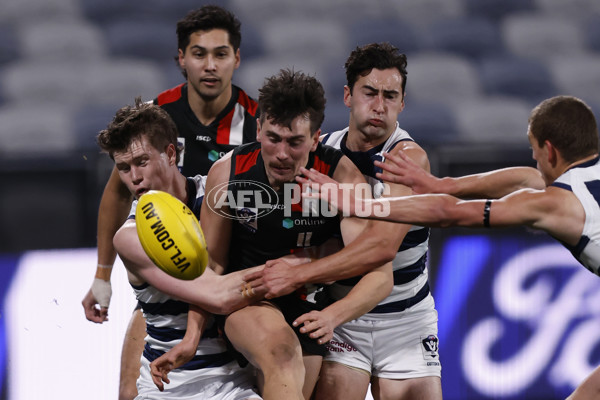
(399, 168)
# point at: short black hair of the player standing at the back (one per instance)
(207, 18)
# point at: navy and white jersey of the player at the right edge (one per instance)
(583, 181)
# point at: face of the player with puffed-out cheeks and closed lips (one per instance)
(375, 103)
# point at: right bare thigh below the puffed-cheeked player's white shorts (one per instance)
(426, 388)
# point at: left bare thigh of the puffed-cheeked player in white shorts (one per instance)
(340, 382)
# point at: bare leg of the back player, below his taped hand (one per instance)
(133, 347)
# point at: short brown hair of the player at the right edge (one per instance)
(568, 123)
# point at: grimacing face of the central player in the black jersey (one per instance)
(285, 150)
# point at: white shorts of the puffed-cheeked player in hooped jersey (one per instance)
(391, 346)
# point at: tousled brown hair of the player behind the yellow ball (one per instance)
(133, 122)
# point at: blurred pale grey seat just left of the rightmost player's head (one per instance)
(492, 120)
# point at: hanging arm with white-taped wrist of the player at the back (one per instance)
(113, 210)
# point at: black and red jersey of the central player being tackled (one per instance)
(269, 226)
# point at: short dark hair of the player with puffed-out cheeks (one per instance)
(374, 55)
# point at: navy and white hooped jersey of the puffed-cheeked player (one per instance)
(410, 269)
